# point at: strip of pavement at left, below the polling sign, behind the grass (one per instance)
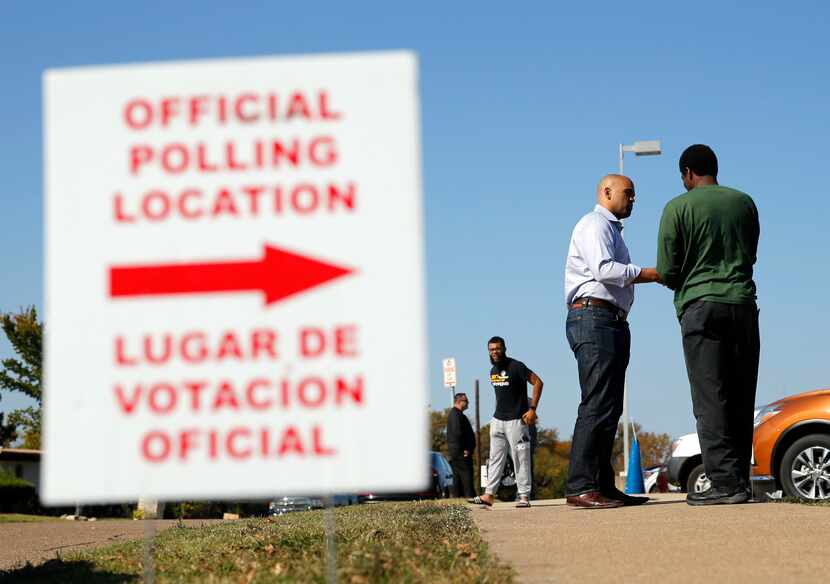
(42, 541)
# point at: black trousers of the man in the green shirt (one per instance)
(721, 344)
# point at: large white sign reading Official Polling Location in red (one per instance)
(234, 279)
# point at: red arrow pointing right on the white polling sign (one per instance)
(278, 274)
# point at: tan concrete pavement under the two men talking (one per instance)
(665, 540)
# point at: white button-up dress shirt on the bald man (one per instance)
(598, 263)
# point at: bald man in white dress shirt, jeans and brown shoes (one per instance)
(599, 292)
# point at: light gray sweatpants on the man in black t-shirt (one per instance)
(509, 437)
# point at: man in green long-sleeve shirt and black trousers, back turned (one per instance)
(706, 249)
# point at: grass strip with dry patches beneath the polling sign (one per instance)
(384, 543)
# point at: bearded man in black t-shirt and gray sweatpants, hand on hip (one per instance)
(509, 428)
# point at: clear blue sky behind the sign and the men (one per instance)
(523, 109)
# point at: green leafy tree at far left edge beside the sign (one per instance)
(24, 375)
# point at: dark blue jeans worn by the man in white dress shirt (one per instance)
(601, 344)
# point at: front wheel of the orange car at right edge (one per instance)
(805, 468)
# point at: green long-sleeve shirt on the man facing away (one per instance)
(707, 245)
